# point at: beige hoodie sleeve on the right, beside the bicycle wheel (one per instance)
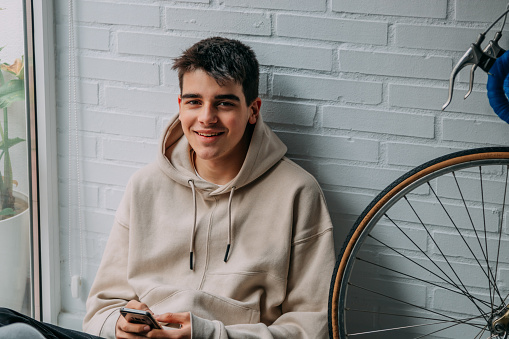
(310, 270)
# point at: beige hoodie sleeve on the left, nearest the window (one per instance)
(110, 290)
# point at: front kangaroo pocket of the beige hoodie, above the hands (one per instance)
(202, 304)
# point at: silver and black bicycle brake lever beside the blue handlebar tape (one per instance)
(477, 57)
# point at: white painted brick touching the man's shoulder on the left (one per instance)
(107, 173)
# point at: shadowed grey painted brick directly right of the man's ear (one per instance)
(288, 113)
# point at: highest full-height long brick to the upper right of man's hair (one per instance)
(343, 30)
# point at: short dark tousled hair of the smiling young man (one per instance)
(224, 60)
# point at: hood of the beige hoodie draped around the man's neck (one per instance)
(265, 150)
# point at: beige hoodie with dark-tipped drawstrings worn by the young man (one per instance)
(273, 218)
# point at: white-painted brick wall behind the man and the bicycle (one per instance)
(354, 87)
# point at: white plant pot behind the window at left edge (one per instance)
(15, 258)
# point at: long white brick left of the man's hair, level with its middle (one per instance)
(112, 69)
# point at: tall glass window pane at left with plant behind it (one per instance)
(15, 281)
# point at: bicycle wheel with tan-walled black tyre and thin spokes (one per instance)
(429, 257)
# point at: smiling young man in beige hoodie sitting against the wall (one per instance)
(222, 235)
